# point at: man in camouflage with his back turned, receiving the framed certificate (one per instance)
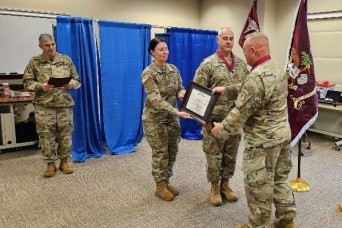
(261, 109)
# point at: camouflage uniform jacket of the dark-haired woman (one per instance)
(163, 85)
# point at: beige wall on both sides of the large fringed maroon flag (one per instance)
(324, 35)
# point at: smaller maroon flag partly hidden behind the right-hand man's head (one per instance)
(251, 24)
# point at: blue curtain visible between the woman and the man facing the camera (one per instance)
(188, 47)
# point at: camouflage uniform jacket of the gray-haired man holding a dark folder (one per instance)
(40, 69)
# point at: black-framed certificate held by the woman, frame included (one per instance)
(199, 102)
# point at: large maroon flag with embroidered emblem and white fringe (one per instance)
(302, 97)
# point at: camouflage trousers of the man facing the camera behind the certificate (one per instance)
(221, 156)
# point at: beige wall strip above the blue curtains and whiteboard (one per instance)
(181, 13)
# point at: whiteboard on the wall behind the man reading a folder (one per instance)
(19, 40)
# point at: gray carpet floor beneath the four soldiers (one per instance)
(118, 191)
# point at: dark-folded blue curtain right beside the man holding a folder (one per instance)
(75, 38)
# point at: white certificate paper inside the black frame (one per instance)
(198, 102)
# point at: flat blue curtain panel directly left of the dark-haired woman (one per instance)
(123, 56)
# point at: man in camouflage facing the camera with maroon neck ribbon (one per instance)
(222, 68)
